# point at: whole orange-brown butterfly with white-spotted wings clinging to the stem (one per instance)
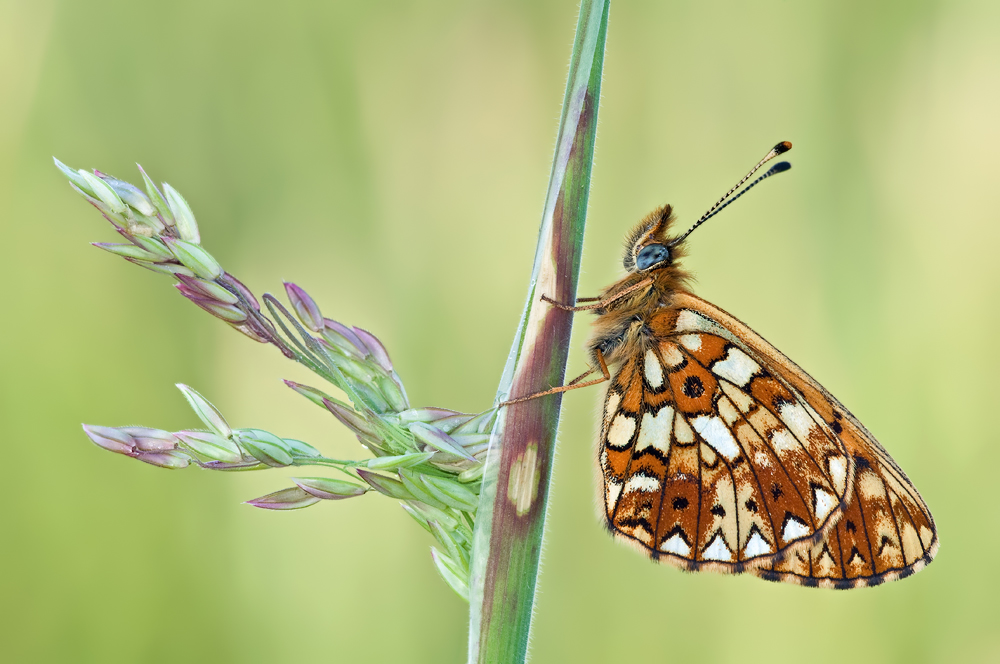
(719, 453)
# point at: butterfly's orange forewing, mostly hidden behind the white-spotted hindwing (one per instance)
(886, 531)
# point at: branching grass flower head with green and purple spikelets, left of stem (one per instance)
(430, 459)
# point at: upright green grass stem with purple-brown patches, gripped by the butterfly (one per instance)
(507, 540)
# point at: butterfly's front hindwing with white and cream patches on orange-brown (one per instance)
(710, 461)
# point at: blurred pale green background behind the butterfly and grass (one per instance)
(392, 158)
